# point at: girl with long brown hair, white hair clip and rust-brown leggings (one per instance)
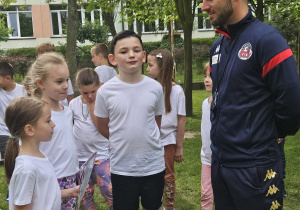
(160, 67)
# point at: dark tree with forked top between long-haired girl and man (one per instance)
(186, 13)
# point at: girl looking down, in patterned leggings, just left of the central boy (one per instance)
(88, 139)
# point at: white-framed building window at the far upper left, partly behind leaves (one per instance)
(19, 19)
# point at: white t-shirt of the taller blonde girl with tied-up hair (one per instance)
(61, 150)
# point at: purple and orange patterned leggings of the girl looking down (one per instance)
(102, 175)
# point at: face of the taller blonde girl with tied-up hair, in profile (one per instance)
(56, 84)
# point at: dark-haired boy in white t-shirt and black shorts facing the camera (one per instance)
(128, 111)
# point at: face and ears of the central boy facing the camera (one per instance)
(129, 55)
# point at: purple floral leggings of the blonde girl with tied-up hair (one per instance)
(66, 183)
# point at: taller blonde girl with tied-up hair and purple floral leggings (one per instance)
(50, 75)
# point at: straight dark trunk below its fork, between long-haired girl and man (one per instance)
(188, 70)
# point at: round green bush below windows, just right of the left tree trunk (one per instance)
(93, 32)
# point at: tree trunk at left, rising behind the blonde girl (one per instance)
(72, 27)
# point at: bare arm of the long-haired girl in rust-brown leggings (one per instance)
(180, 137)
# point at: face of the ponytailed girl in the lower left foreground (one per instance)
(43, 129)
